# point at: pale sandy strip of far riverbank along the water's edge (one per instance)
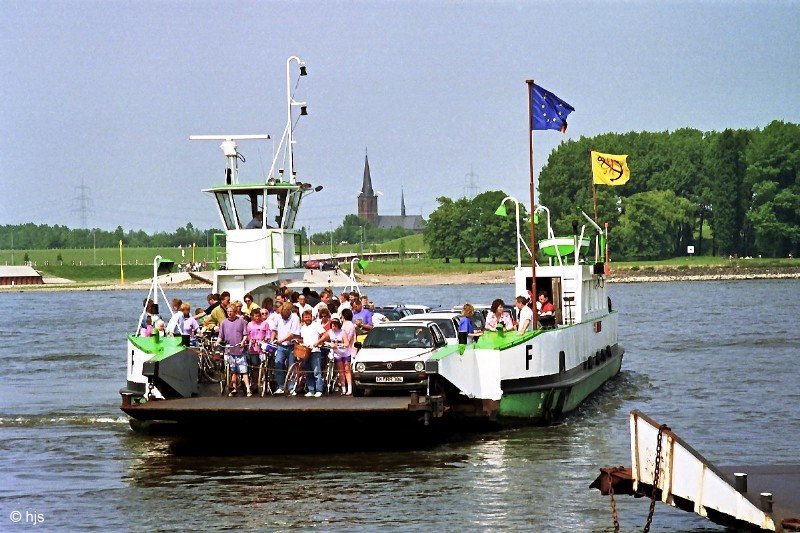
(659, 273)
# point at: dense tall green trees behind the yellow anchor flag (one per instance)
(743, 185)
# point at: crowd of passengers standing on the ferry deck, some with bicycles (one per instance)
(324, 323)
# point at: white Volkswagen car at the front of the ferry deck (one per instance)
(393, 355)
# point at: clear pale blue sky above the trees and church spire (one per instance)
(108, 93)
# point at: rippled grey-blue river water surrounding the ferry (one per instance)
(717, 361)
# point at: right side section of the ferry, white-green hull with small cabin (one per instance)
(541, 375)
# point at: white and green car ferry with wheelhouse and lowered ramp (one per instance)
(502, 378)
